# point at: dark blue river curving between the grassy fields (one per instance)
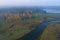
(38, 31)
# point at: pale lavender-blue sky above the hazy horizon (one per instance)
(29, 2)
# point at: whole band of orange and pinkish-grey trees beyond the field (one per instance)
(19, 16)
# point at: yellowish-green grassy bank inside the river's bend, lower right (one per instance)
(52, 32)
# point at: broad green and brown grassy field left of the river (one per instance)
(17, 29)
